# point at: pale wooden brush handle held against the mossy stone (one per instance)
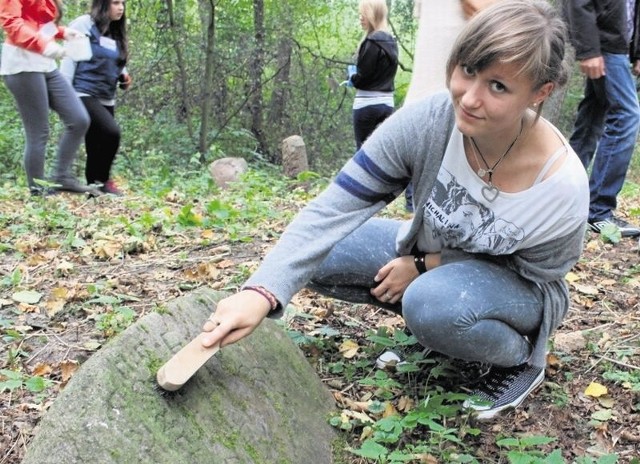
(181, 367)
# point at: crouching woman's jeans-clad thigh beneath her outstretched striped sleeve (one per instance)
(347, 273)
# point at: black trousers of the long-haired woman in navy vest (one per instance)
(102, 140)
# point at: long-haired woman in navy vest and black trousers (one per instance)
(96, 80)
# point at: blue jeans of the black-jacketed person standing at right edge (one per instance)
(605, 132)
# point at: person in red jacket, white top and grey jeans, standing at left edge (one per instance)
(28, 66)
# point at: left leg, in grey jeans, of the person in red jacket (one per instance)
(30, 93)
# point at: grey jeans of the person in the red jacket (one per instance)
(35, 93)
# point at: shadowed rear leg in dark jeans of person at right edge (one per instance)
(589, 121)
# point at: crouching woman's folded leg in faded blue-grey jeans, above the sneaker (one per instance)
(476, 311)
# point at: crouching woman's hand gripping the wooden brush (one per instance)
(235, 317)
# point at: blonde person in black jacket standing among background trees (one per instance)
(376, 66)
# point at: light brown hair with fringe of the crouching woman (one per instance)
(530, 33)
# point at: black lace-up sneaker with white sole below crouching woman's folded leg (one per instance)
(503, 388)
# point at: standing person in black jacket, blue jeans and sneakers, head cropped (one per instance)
(604, 34)
